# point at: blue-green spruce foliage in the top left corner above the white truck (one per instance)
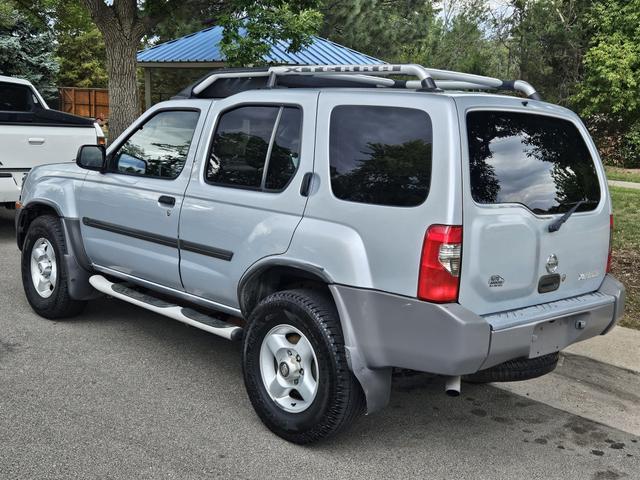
(27, 50)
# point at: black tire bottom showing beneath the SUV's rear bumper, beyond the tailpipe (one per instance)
(516, 370)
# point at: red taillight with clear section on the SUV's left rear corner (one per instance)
(439, 277)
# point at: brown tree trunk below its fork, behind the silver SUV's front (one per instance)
(124, 97)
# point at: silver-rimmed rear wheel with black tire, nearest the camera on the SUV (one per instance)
(295, 367)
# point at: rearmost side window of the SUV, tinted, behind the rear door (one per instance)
(380, 155)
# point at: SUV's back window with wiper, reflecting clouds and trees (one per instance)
(538, 161)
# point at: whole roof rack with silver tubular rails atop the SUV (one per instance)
(429, 79)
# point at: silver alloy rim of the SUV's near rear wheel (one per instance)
(289, 368)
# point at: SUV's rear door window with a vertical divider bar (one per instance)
(256, 147)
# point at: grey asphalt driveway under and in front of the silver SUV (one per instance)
(123, 393)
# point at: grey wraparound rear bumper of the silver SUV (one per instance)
(384, 330)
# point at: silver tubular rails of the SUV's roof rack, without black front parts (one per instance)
(429, 79)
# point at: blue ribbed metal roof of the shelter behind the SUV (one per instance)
(204, 46)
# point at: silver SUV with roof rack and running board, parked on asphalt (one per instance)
(342, 223)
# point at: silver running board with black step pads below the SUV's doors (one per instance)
(182, 314)
